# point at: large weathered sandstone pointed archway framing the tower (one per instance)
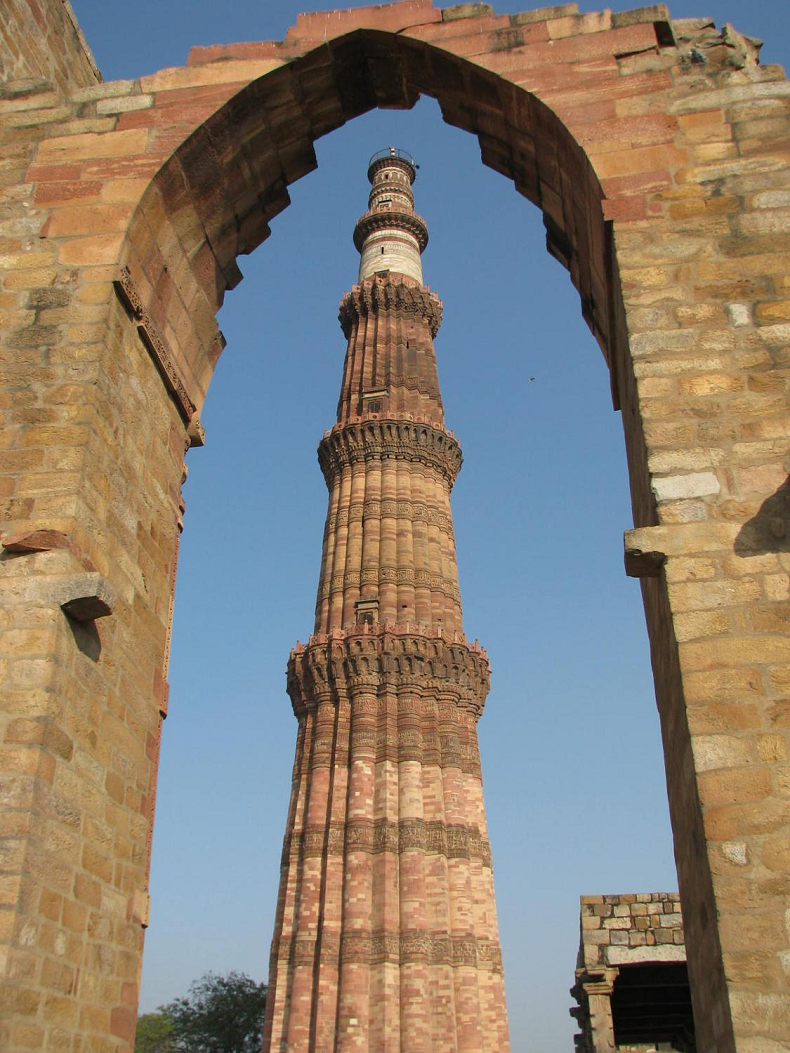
(132, 203)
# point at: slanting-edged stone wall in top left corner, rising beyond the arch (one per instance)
(41, 41)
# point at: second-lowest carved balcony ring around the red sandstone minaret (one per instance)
(390, 440)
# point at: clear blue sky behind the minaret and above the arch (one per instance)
(571, 750)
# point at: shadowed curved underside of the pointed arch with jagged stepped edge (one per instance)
(225, 185)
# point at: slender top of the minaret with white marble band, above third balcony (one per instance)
(391, 236)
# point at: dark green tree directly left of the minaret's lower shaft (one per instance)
(222, 1015)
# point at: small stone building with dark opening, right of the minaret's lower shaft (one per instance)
(633, 984)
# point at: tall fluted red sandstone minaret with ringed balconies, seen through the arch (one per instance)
(386, 938)
